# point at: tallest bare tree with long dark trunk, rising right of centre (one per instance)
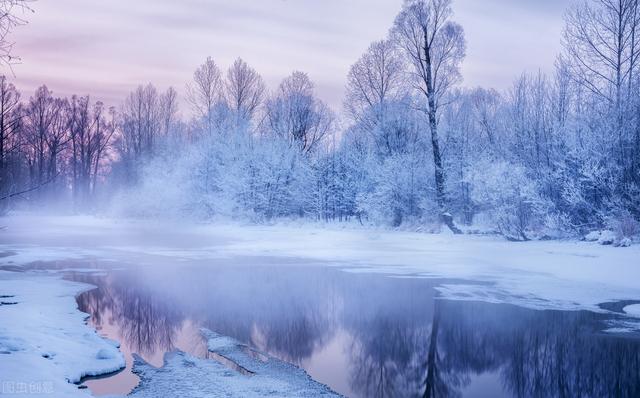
(435, 46)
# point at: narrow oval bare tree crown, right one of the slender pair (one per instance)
(244, 90)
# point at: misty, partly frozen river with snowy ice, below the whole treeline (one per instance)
(229, 309)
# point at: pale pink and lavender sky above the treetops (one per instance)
(107, 48)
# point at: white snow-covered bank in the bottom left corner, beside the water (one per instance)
(46, 344)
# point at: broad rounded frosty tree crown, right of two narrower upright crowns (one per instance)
(296, 114)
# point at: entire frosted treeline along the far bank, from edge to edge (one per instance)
(554, 155)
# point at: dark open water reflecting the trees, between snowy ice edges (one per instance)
(363, 335)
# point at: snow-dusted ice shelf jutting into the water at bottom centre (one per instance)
(186, 376)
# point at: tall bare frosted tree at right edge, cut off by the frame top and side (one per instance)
(602, 49)
